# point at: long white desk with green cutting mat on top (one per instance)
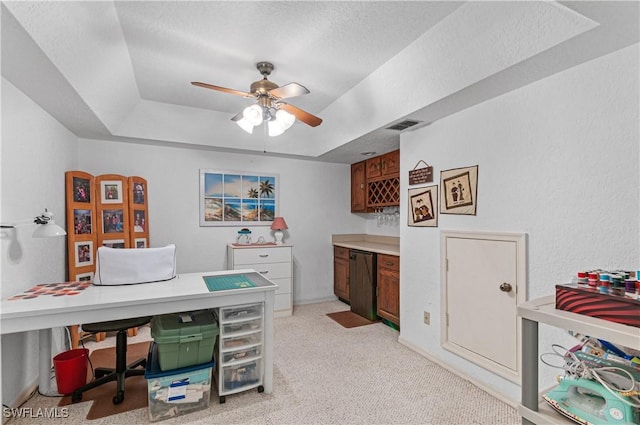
(101, 303)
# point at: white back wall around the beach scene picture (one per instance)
(314, 200)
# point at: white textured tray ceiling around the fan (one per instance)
(122, 70)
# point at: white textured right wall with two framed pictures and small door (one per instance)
(558, 160)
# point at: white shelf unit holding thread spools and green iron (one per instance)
(533, 409)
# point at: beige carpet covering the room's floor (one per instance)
(326, 374)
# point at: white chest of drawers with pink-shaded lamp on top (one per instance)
(272, 261)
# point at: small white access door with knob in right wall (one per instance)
(482, 281)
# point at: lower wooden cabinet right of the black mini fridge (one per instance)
(389, 288)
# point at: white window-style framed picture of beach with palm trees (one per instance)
(233, 198)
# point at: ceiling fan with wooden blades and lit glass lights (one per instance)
(269, 106)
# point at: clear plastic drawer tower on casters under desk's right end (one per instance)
(239, 349)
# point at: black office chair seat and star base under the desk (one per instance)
(122, 369)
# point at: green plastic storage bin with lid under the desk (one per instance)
(184, 339)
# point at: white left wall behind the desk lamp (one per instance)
(36, 150)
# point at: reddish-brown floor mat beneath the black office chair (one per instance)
(136, 394)
